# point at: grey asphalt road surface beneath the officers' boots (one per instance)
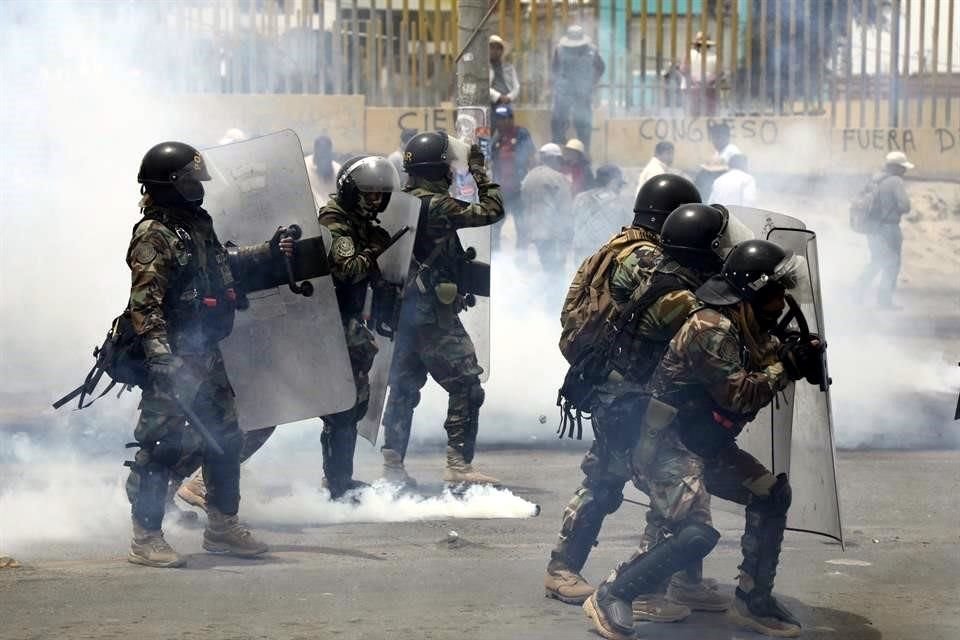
(898, 578)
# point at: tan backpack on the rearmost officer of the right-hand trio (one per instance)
(589, 304)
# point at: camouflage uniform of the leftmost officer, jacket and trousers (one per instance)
(178, 268)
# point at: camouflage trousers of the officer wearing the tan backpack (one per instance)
(606, 467)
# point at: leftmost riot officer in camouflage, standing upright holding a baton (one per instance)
(182, 303)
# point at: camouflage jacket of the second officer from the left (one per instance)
(355, 243)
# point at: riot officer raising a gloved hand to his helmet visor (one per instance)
(431, 338)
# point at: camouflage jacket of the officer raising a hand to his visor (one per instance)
(437, 233)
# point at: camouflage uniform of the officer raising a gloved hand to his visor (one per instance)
(431, 339)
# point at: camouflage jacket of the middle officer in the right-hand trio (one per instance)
(646, 336)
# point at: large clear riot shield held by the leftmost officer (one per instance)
(287, 357)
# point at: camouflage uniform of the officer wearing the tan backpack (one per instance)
(607, 464)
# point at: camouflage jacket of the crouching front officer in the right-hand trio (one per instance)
(710, 369)
